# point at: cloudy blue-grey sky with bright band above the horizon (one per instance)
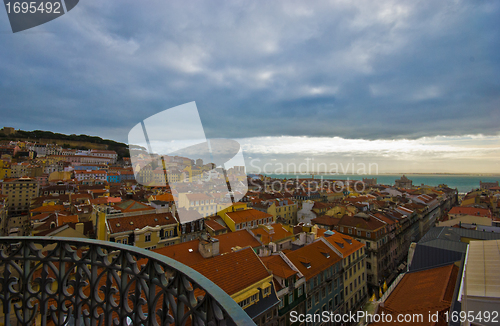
(411, 86)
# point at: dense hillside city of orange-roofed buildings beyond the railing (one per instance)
(290, 249)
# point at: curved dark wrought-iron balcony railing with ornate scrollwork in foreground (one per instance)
(68, 281)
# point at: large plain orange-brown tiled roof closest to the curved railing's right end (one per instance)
(234, 271)
